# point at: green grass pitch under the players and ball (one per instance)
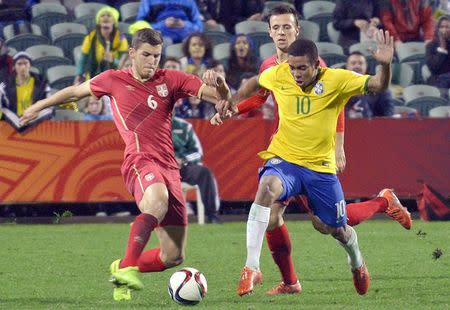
(65, 266)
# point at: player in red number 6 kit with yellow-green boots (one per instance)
(142, 101)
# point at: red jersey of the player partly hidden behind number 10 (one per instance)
(262, 95)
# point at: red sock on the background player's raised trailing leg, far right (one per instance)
(361, 211)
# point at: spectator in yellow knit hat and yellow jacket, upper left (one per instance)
(103, 47)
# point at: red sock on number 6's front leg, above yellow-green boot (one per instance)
(139, 234)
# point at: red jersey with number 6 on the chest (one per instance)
(142, 111)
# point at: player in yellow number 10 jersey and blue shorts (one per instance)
(300, 158)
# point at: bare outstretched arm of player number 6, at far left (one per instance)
(71, 93)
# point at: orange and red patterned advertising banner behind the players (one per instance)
(74, 161)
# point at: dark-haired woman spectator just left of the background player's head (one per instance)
(242, 59)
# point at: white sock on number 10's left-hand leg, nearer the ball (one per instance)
(258, 220)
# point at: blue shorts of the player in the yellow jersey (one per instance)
(323, 190)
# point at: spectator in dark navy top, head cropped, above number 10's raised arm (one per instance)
(357, 21)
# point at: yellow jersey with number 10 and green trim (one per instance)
(307, 118)
